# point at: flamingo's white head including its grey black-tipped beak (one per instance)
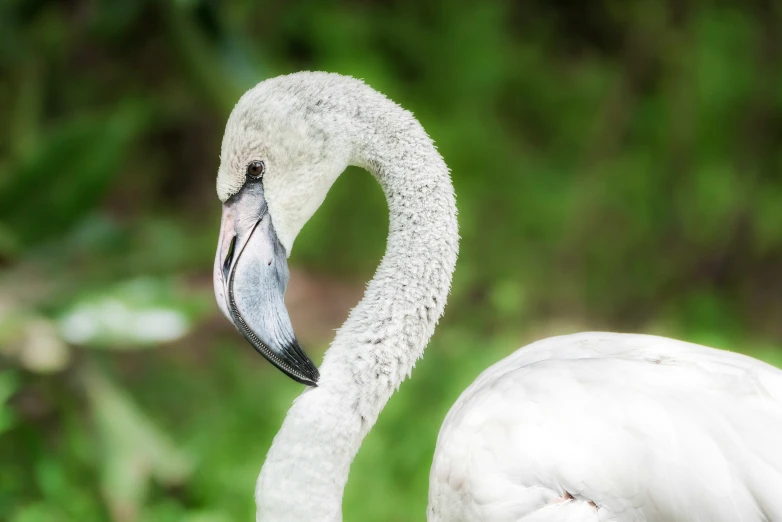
(281, 152)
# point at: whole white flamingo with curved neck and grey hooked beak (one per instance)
(586, 427)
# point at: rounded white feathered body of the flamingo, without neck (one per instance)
(604, 426)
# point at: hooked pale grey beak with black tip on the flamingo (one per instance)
(250, 278)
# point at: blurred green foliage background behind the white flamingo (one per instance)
(618, 166)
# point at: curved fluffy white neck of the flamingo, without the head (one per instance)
(306, 469)
